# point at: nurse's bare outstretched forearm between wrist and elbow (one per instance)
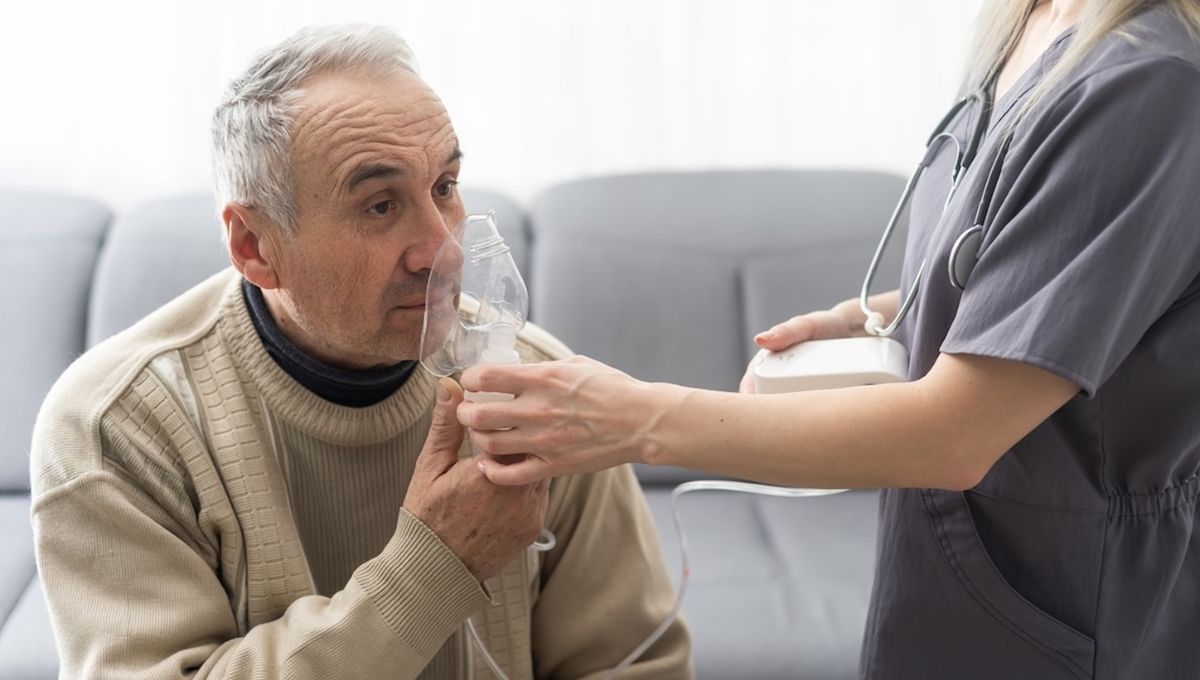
(851, 438)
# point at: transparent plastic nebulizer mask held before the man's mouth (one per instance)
(476, 303)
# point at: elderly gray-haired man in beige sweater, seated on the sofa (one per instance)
(259, 482)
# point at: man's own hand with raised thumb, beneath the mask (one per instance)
(483, 523)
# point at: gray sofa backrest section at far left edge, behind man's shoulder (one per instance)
(49, 246)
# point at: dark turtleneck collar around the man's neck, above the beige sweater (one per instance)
(338, 386)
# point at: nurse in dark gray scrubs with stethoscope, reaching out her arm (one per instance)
(1041, 520)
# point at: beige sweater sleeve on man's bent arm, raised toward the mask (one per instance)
(131, 598)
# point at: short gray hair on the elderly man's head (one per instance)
(253, 125)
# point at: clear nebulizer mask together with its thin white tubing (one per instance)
(476, 305)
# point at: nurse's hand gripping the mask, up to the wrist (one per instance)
(575, 416)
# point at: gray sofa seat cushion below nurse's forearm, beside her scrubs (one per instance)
(779, 587)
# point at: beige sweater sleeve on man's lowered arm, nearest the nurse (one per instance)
(605, 586)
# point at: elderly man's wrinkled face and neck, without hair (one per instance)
(376, 167)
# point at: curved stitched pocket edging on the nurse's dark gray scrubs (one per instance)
(1063, 646)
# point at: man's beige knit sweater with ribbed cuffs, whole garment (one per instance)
(199, 514)
